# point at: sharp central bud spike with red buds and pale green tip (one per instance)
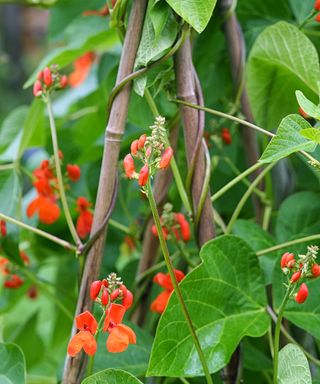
(152, 151)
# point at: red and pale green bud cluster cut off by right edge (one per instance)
(304, 267)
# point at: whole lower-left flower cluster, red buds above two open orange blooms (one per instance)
(114, 299)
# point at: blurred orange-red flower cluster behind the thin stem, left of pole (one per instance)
(46, 185)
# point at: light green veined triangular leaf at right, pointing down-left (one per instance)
(288, 140)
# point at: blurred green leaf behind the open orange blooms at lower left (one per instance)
(134, 359)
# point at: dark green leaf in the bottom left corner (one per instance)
(12, 367)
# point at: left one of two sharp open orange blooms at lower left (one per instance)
(87, 326)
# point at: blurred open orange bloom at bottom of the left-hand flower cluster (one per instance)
(48, 210)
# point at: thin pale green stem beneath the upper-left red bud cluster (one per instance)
(59, 174)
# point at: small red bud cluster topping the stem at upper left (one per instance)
(48, 81)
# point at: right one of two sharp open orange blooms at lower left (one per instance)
(120, 335)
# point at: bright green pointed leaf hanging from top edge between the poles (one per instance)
(195, 12)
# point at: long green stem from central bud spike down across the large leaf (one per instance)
(177, 290)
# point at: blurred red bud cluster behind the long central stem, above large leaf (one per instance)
(174, 225)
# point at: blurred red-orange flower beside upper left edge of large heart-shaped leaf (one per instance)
(164, 280)
